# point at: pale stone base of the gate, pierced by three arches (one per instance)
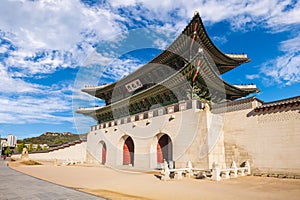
(188, 132)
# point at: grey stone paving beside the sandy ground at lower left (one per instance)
(15, 185)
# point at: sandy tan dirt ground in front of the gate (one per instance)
(116, 184)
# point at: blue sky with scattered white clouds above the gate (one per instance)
(50, 49)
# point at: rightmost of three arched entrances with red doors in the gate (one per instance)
(164, 149)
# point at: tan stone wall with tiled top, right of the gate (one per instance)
(270, 139)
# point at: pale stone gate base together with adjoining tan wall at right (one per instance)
(269, 140)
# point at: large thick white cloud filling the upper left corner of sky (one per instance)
(53, 34)
